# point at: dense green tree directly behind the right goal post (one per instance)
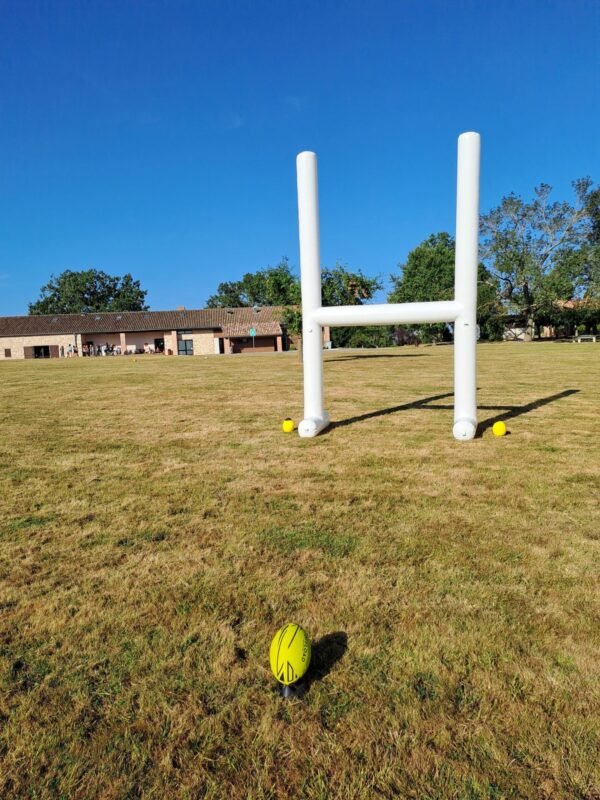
(428, 275)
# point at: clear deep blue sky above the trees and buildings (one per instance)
(159, 138)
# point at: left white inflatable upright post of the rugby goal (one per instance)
(315, 417)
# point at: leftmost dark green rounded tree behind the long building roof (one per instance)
(89, 290)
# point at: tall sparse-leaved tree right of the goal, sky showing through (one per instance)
(529, 249)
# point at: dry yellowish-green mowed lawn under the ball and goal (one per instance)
(157, 527)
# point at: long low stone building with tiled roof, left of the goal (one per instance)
(180, 332)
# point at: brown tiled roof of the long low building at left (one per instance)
(138, 321)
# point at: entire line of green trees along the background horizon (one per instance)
(540, 266)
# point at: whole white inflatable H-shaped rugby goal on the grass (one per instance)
(461, 311)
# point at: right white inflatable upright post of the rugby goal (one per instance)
(465, 293)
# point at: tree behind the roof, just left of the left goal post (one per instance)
(273, 286)
